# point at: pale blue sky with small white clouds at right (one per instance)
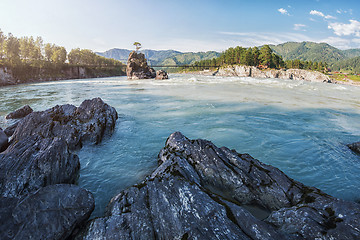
(186, 25)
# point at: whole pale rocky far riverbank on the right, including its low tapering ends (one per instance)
(292, 74)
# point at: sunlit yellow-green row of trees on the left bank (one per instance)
(29, 55)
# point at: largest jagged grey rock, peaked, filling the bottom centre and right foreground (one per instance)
(200, 191)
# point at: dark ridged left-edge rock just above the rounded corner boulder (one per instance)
(35, 162)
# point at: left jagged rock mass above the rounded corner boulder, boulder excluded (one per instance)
(40, 149)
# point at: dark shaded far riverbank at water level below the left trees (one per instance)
(9, 76)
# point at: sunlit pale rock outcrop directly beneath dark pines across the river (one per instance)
(250, 71)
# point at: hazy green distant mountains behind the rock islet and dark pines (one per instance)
(305, 51)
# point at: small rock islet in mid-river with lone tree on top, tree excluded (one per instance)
(137, 67)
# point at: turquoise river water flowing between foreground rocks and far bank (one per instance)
(300, 127)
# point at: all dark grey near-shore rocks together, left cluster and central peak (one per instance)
(198, 191)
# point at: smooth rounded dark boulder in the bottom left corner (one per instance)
(53, 212)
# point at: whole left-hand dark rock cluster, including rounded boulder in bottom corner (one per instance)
(40, 156)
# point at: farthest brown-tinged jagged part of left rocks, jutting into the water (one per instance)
(86, 123)
